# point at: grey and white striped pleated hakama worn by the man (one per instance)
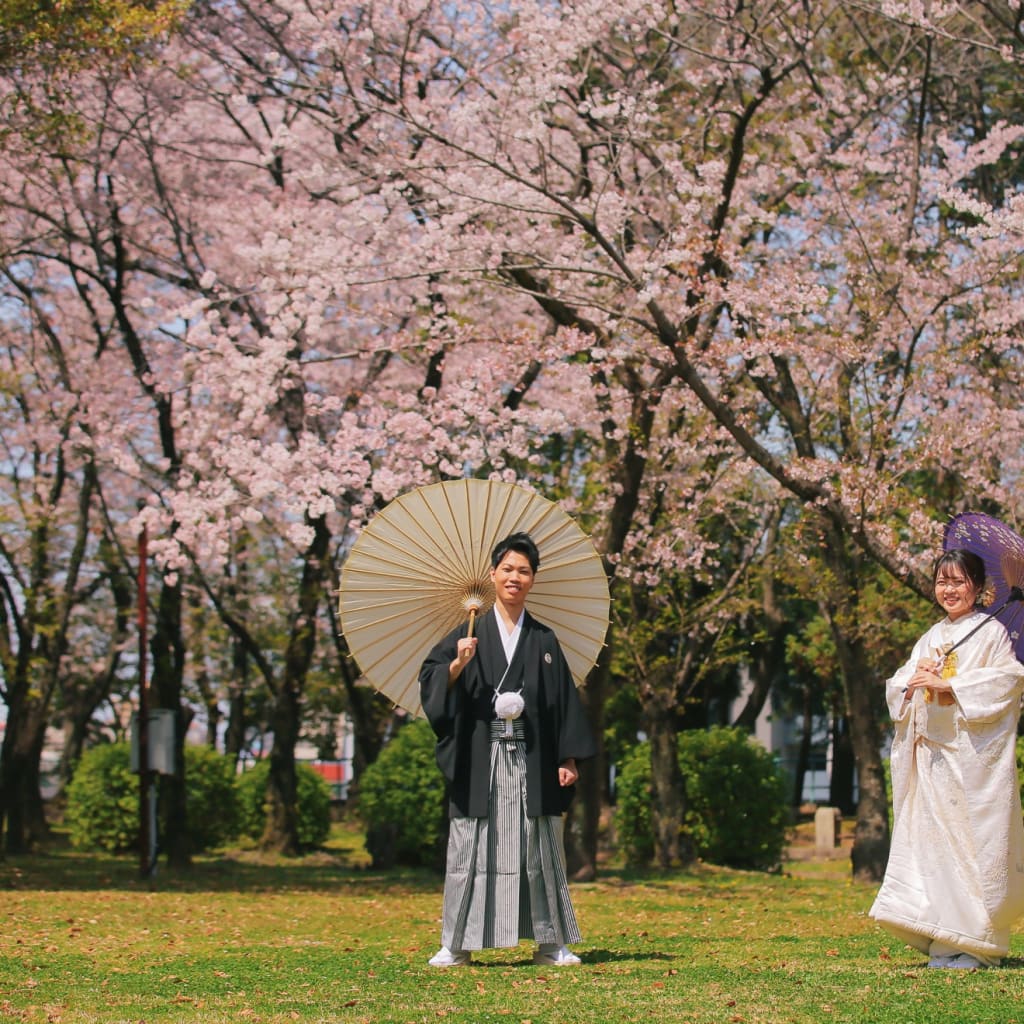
(506, 873)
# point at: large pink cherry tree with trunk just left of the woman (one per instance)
(724, 198)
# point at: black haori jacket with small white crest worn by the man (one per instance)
(554, 722)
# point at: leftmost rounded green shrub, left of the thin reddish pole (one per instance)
(103, 801)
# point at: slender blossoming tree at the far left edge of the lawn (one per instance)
(51, 570)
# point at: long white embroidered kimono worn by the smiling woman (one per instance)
(956, 873)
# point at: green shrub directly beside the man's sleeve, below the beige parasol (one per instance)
(403, 802)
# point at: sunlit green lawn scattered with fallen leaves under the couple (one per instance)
(327, 940)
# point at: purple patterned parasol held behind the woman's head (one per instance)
(1003, 552)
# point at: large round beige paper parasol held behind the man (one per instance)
(423, 563)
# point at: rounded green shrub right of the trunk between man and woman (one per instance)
(737, 808)
